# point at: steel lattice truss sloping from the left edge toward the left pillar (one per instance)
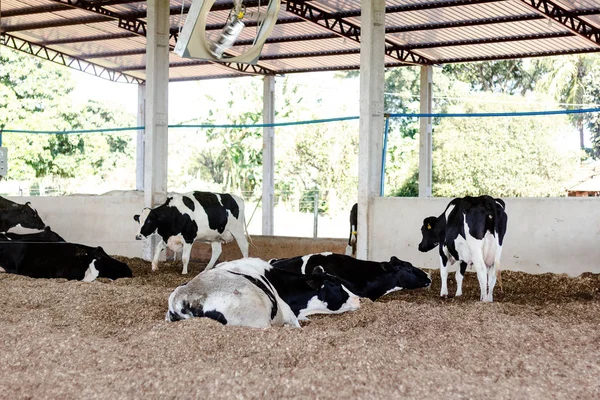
(64, 59)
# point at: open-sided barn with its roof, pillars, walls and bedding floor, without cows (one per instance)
(71, 339)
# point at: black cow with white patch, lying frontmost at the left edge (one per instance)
(58, 260)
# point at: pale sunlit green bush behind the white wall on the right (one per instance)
(518, 156)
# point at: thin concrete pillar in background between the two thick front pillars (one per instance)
(268, 194)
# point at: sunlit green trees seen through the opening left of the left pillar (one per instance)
(35, 96)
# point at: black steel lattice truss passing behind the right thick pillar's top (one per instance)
(337, 23)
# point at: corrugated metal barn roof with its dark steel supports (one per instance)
(107, 37)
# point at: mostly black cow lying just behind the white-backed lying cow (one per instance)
(363, 278)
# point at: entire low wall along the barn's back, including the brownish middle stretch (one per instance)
(560, 235)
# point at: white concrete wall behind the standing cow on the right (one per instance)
(559, 235)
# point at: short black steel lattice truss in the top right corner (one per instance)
(568, 19)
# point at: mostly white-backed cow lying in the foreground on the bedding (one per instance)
(217, 294)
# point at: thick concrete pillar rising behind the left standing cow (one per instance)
(156, 131)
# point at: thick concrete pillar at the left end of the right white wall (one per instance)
(372, 44)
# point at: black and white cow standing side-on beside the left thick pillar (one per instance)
(213, 218)
